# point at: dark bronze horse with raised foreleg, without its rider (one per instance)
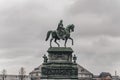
(55, 36)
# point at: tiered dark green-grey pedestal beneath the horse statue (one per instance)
(59, 65)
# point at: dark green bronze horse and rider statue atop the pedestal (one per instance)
(60, 33)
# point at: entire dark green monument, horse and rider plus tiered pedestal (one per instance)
(59, 64)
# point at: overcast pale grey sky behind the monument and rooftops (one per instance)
(24, 25)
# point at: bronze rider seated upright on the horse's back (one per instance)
(60, 29)
